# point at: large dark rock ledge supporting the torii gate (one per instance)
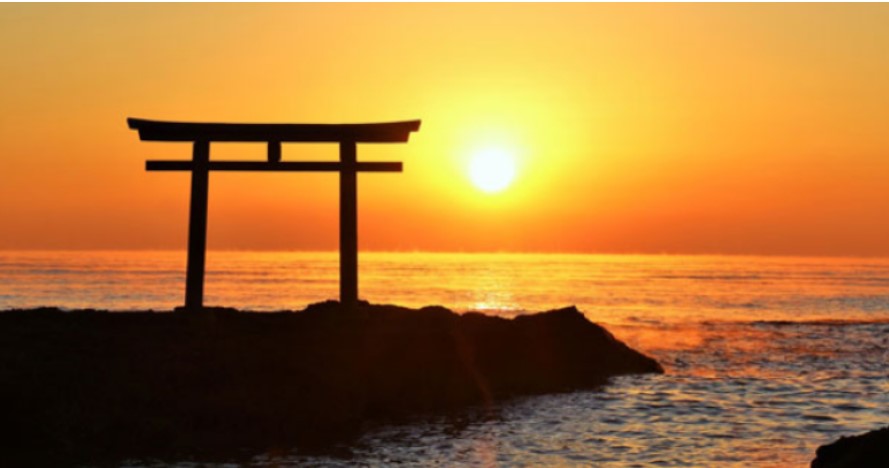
(92, 385)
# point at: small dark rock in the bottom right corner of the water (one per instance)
(868, 450)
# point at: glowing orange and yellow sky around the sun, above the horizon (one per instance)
(757, 129)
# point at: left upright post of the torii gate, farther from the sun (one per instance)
(197, 227)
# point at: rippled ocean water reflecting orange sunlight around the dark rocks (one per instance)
(766, 358)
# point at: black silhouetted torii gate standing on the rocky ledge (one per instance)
(202, 134)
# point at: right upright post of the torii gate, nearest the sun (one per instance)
(348, 227)
